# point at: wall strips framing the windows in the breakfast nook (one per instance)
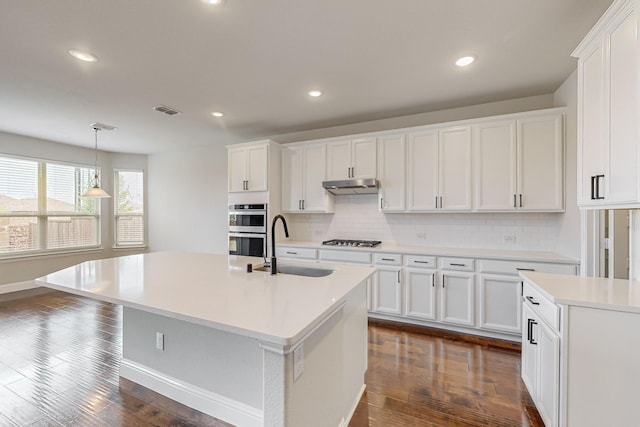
(15, 271)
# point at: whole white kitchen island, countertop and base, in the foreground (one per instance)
(252, 348)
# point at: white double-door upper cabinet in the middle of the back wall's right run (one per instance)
(439, 170)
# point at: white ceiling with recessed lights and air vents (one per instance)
(255, 60)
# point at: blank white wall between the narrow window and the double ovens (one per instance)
(188, 200)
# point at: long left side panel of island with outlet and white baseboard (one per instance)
(216, 372)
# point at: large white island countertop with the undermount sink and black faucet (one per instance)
(213, 290)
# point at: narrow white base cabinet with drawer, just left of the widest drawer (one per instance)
(457, 297)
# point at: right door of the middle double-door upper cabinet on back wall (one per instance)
(455, 168)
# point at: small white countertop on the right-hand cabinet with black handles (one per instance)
(594, 292)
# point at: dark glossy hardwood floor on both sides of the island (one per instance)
(60, 357)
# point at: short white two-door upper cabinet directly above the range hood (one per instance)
(349, 159)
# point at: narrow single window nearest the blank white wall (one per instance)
(129, 208)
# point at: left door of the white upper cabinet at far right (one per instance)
(592, 139)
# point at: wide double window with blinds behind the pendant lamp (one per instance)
(41, 208)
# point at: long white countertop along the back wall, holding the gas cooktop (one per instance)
(533, 256)
